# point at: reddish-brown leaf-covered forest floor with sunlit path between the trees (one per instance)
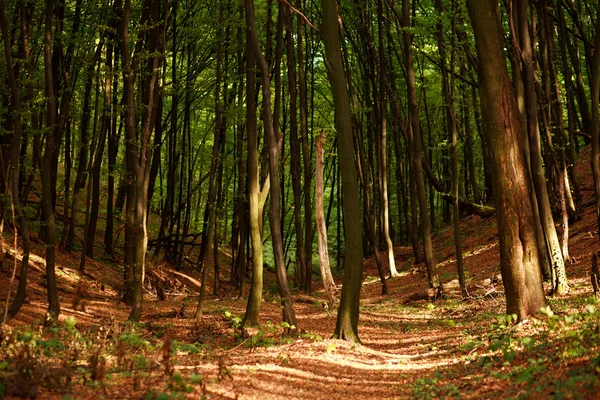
(452, 347)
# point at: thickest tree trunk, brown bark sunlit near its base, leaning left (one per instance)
(519, 258)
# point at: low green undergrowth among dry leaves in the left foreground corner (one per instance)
(110, 359)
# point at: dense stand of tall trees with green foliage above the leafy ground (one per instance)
(299, 138)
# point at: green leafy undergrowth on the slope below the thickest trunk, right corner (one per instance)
(552, 356)
